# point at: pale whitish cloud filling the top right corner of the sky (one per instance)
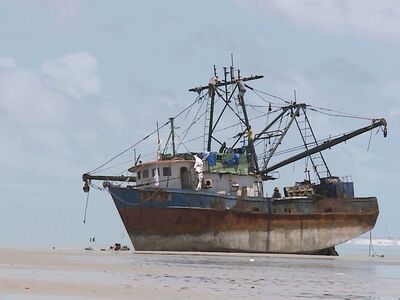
(365, 16)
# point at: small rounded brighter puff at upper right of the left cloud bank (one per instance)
(74, 74)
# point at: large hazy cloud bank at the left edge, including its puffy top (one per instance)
(41, 125)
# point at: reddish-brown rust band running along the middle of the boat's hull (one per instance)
(185, 221)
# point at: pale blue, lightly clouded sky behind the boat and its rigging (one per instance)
(82, 80)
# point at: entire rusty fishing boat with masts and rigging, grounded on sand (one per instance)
(213, 198)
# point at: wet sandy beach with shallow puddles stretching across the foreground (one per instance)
(56, 274)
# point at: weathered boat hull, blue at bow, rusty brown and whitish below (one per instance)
(178, 221)
